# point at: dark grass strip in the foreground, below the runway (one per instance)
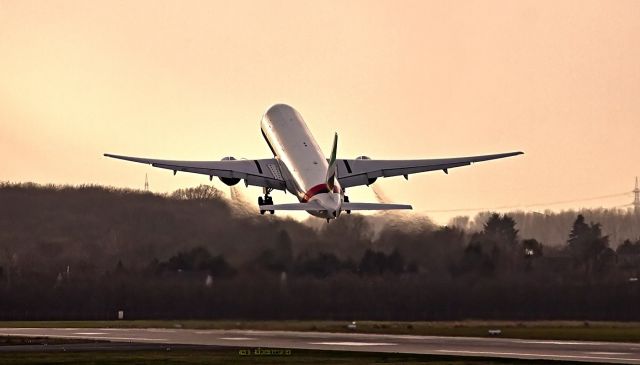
(229, 356)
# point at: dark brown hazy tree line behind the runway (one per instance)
(86, 252)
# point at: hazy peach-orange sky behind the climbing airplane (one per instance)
(559, 80)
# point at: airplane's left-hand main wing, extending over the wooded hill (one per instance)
(264, 172)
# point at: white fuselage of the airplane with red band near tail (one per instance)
(302, 163)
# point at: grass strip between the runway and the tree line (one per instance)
(557, 330)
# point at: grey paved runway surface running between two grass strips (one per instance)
(602, 352)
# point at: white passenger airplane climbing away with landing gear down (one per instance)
(299, 167)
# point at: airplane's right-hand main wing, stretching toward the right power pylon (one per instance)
(362, 171)
